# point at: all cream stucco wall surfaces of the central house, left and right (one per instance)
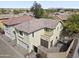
(36, 40)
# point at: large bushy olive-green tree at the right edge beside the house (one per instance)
(73, 23)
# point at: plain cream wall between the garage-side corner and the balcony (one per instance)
(36, 39)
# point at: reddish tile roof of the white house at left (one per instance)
(17, 20)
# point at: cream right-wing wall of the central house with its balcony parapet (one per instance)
(55, 35)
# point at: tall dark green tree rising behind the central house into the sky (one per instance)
(37, 10)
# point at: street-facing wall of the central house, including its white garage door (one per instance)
(23, 40)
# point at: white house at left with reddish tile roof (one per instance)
(11, 22)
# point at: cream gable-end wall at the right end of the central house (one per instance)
(56, 33)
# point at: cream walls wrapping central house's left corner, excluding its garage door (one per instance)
(28, 39)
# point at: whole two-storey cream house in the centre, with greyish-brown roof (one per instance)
(38, 32)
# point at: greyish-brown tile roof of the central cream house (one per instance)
(36, 24)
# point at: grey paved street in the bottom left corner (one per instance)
(7, 51)
